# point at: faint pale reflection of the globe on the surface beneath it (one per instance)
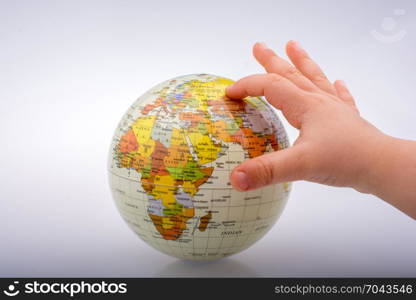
(225, 267)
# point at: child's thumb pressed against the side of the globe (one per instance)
(271, 168)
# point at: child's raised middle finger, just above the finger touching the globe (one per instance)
(274, 64)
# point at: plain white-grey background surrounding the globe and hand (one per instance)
(70, 69)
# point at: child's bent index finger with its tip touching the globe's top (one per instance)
(279, 92)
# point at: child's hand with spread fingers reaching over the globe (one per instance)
(335, 145)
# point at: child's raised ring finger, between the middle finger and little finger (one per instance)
(308, 67)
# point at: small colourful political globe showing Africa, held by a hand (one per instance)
(170, 161)
